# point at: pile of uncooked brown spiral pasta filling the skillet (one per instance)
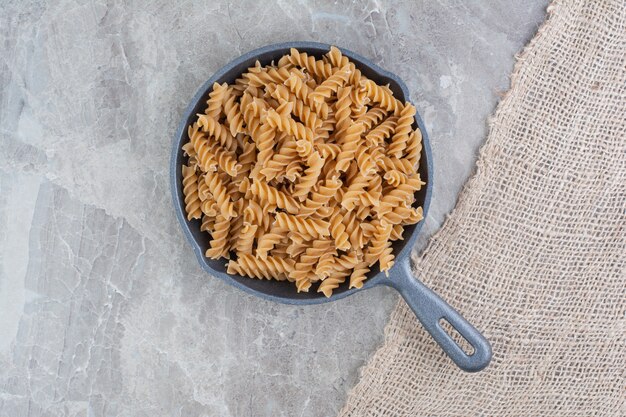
(303, 170)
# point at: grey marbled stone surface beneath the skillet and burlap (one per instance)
(103, 309)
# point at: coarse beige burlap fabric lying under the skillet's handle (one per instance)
(535, 252)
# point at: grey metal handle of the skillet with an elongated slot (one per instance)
(430, 310)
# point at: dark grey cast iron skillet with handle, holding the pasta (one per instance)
(429, 308)
